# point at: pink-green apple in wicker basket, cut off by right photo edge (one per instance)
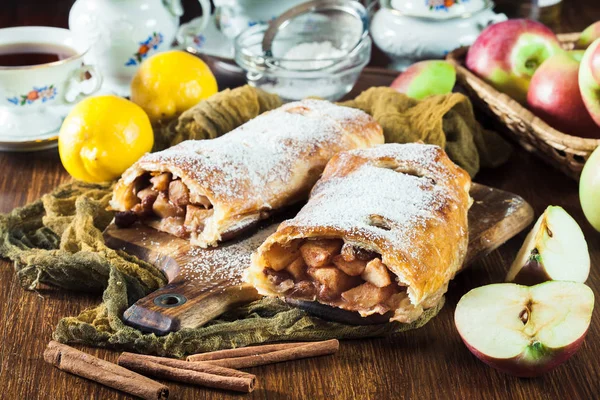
(589, 80)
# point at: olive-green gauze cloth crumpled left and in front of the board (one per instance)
(58, 241)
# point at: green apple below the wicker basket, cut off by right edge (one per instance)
(589, 189)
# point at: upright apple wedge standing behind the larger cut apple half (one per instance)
(555, 249)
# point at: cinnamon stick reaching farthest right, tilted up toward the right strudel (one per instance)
(289, 354)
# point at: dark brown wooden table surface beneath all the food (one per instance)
(429, 363)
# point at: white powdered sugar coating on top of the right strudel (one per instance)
(378, 200)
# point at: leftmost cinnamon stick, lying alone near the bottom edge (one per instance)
(85, 365)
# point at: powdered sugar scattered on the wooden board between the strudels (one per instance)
(223, 266)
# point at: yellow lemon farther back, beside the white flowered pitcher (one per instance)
(169, 83)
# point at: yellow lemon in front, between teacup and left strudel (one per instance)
(103, 136)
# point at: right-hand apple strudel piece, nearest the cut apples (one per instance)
(384, 231)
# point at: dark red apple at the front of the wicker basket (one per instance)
(554, 95)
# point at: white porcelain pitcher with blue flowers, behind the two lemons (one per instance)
(122, 33)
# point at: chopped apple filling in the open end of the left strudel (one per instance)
(165, 203)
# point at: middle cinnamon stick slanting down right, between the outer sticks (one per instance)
(190, 376)
